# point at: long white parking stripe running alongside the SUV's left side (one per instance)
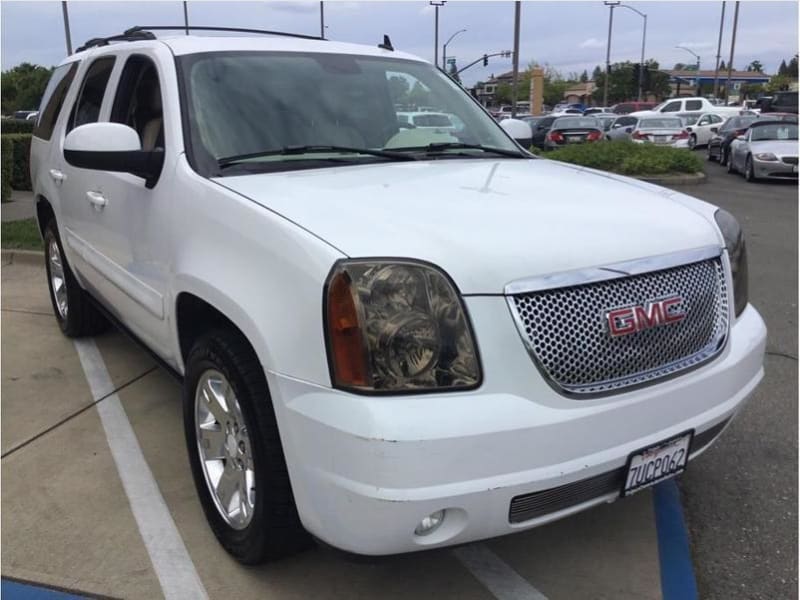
(171, 561)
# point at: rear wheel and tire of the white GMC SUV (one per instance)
(73, 309)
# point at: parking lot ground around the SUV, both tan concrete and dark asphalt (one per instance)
(67, 520)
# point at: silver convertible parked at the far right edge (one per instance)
(767, 150)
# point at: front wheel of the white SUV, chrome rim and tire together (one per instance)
(267, 526)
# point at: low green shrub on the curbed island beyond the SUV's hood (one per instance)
(627, 158)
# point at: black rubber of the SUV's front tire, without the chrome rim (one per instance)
(274, 530)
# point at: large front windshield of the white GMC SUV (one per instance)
(255, 104)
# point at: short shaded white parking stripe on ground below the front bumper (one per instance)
(500, 579)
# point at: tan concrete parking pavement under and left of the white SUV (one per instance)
(67, 520)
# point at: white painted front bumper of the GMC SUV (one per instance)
(365, 470)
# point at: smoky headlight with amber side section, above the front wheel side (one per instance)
(395, 325)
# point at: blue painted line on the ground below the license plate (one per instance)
(677, 572)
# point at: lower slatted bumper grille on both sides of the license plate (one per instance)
(538, 504)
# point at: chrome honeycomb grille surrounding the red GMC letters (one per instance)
(566, 329)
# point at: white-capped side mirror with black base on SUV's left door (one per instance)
(112, 147)
